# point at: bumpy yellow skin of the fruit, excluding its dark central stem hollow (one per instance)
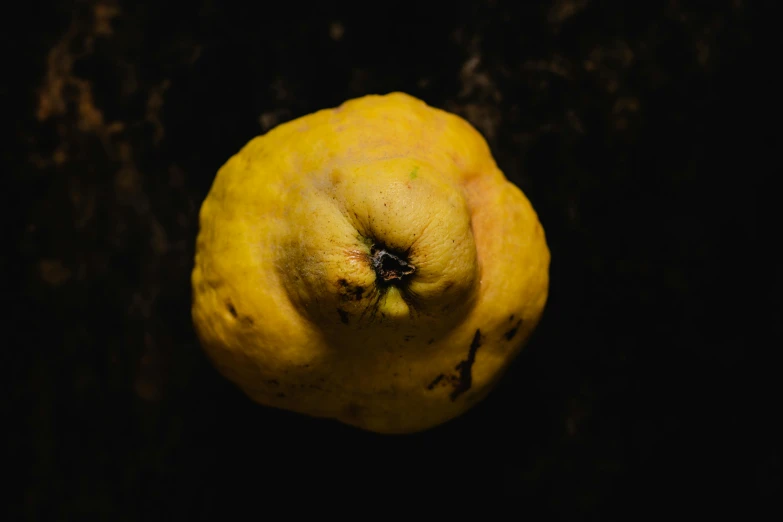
(286, 299)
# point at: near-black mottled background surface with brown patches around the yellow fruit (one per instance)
(642, 133)
